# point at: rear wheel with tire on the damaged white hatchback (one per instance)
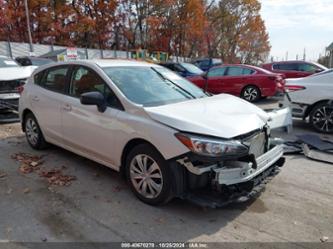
(33, 133)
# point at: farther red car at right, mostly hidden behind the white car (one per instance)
(294, 69)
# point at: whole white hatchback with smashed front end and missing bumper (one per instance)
(167, 136)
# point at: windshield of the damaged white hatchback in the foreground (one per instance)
(152, 86)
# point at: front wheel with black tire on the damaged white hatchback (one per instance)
(158, 189)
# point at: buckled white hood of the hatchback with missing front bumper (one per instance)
(221, 115)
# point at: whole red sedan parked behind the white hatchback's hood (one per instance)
(249, 82)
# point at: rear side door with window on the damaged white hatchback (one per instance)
(47, 98)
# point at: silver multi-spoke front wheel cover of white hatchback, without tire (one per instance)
(146, 176)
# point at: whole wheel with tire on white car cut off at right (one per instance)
(321, 117)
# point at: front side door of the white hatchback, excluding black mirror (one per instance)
(85, 129)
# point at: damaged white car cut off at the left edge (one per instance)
(12, 76)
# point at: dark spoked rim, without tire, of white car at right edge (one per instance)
(322, 118)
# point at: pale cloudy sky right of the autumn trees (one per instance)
(295, 25)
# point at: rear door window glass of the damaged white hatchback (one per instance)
(55, 79)
